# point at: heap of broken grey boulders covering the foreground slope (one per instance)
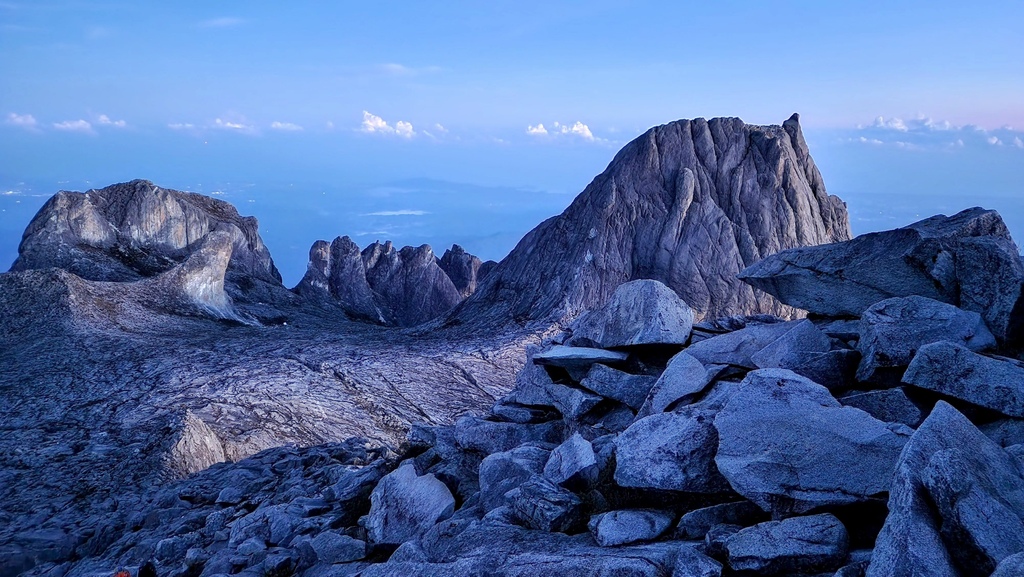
(889, 442)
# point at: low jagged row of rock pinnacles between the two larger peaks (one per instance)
(388, 286)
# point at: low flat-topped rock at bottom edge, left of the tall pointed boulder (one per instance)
(796, 546)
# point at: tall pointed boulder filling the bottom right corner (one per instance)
(957, 500)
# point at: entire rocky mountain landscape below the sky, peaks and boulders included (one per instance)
(633, 391)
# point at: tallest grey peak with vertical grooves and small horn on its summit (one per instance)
(691, 203)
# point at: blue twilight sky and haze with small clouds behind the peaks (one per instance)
(472, 122)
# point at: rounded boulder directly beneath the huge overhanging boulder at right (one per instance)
(894, 329)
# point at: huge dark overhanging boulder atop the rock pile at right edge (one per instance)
(967, 260)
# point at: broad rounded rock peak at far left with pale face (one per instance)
(136, 230)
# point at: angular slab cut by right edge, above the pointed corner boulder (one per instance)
(961, 374)
